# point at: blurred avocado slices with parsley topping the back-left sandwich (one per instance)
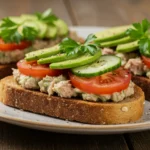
(31, 26)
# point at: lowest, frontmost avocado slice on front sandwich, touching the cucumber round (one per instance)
(80, 61)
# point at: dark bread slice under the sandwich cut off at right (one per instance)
(144, 84)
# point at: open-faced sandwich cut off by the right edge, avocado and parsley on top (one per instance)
(132, 45)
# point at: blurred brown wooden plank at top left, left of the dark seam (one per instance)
(17, 7)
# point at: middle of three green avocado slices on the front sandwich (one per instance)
(56, 58)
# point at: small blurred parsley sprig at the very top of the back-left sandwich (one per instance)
(47, 17)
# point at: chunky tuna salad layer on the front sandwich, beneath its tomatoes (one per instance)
(61, 86)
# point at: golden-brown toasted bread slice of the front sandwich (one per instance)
(130, 109)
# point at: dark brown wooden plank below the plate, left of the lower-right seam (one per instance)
(18, 138)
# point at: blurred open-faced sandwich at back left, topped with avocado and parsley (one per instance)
(19, 35)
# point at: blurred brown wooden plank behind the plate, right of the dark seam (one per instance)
(108, 12)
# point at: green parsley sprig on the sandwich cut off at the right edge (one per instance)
(141, 33)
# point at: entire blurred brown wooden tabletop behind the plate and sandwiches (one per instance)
(83, 12)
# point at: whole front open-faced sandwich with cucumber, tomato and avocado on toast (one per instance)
(74, 82)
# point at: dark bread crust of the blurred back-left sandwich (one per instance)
(6, 70)
